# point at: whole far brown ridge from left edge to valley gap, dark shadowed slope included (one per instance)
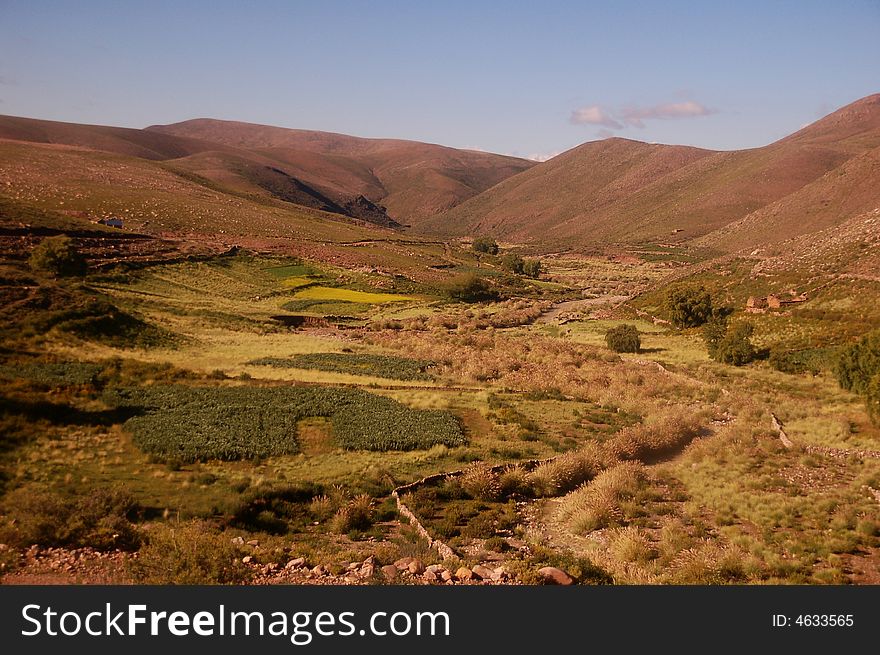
(381, 181)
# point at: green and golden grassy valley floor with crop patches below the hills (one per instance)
(660, 466)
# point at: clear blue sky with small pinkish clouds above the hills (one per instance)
(524, 78)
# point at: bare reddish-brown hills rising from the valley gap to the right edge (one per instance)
(626, 191)
